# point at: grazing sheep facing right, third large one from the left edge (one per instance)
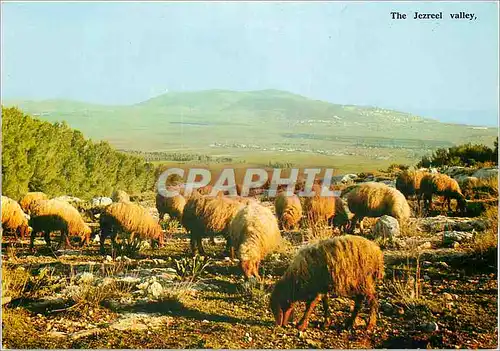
(130, 218)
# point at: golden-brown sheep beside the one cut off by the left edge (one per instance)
(54, 215)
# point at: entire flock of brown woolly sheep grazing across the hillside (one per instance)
(345, 265)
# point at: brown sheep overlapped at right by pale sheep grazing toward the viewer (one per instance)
(205, 216)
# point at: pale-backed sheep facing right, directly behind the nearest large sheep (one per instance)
(373, 199)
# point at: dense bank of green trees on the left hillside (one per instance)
(55, 159)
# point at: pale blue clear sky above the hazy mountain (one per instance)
(341, 52)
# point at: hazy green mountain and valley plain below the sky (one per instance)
(269, 121)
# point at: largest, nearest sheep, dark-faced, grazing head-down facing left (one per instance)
(345, 266)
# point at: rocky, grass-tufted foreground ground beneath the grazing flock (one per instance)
(438, 292)
